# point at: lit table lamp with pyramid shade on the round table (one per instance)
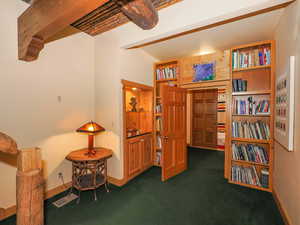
(91, 128)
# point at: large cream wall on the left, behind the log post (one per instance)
(30, 110)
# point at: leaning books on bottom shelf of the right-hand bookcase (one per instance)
(245, 175)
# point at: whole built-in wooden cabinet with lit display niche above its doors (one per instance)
(138, 128)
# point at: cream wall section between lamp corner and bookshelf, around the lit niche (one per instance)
(111, 66)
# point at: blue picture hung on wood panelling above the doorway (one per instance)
(204, 72)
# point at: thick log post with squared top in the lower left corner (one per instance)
(30, 188)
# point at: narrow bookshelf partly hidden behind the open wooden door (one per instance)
(165, 73)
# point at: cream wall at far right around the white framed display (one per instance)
(287, 164)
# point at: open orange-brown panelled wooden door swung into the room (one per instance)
(174, 154)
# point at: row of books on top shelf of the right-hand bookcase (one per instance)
(251, 58)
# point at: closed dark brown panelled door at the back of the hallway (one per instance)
(204, 118)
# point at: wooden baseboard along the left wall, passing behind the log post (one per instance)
(10, 211)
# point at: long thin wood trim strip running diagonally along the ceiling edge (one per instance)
(226, 21)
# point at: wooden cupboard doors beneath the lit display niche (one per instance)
(139, 155)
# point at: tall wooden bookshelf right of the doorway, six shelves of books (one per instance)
(252, 115)
